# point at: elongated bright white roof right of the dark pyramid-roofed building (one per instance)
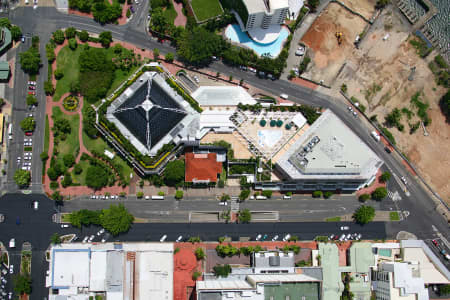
(222, 96)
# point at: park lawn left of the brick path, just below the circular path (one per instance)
(71, 144)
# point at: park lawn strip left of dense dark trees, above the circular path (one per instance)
(67, 61)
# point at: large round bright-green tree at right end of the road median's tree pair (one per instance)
(116, 219)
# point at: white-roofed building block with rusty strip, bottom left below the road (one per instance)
(116, 271)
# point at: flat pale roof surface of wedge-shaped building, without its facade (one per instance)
(329, 148)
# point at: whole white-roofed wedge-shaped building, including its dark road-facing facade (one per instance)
(328, 156)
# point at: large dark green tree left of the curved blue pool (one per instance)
(198, 45)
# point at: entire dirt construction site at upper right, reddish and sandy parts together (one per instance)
(384, 74)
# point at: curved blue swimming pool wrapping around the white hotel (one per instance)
(234, 33)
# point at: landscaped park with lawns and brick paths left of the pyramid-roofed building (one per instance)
(81, 75)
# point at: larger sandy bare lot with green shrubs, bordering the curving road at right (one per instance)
(377, 75)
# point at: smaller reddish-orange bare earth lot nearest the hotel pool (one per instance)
(326, 55)
